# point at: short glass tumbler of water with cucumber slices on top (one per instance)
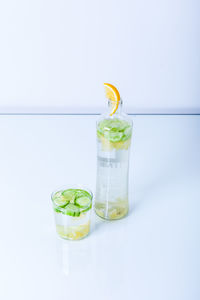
(72, 209)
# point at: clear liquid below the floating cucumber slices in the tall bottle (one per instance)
(112, 180)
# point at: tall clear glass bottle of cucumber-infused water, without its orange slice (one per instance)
(113, 145)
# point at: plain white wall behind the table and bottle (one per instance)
(55, 55)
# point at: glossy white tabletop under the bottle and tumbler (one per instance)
(152, 254)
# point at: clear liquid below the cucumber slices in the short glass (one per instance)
(72, 228)
